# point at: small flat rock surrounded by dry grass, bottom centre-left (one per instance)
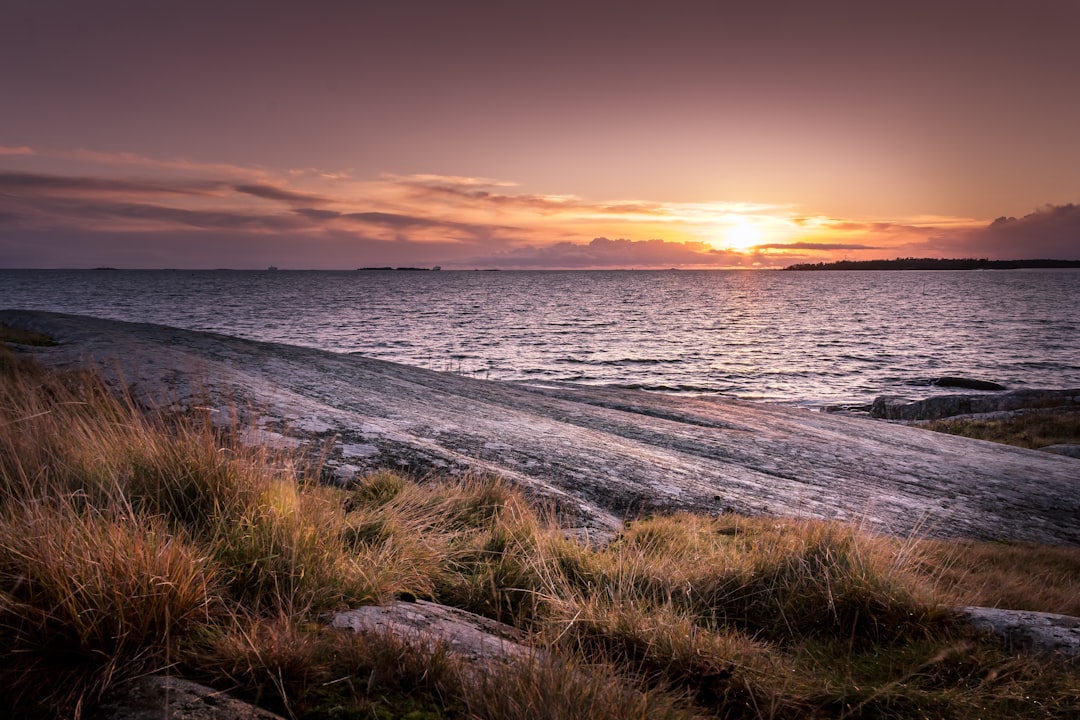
(479, 641)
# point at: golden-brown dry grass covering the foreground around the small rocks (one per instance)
(132, 544)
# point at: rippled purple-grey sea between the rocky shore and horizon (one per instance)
(813, 338)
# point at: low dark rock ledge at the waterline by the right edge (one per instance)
(889, 407)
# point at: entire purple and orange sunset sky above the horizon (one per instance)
(536, 135)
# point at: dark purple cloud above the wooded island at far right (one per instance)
(1050, 233)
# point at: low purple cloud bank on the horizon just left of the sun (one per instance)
(607, 253)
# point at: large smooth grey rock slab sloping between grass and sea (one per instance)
(600, 454)
